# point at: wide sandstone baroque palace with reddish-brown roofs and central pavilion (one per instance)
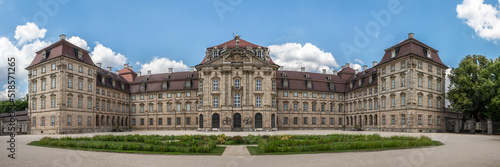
(237, 87)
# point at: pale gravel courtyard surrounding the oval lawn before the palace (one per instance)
(458, 150)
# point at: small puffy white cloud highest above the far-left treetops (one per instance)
(28, 32)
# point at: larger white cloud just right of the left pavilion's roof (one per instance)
(107, 57)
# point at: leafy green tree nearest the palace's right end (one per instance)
(465, 90)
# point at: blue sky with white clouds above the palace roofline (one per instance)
(157, 35)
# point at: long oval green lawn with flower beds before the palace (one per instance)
(214, 144)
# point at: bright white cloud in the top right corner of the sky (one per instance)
(483, 18)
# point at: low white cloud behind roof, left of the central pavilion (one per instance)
(161, 65)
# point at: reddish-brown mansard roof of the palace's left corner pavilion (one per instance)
(62, 48)
